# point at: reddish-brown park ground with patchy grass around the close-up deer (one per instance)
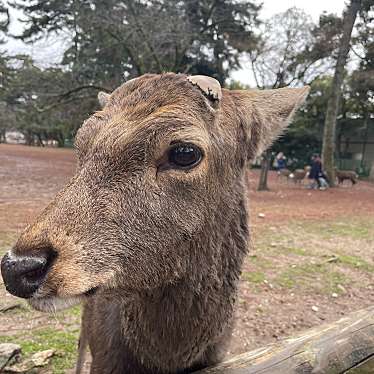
(311, 261)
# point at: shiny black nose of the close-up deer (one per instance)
(23, 274)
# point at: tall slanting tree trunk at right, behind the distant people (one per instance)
(329, 134)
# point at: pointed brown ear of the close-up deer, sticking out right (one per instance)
(267, 113)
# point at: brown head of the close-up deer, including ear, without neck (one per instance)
(153, 166)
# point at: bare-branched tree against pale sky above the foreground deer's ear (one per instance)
(291, 51)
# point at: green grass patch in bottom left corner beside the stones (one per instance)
(63, 342)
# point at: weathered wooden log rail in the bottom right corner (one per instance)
(343, 347)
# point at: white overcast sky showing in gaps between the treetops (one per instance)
(49, 52)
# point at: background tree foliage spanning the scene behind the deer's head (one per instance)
(104, 48)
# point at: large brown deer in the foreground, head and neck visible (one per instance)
(151, 232)
